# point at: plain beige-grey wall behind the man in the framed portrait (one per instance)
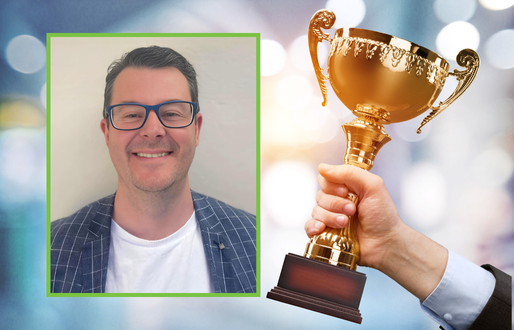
(225, 161)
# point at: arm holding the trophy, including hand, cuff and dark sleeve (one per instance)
(455, 292)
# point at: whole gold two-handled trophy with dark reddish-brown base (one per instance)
(384, 80)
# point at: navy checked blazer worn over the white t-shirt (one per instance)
(80, 246)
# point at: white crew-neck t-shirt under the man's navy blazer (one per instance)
(174, 264)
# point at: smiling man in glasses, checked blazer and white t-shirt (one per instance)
(154, 234)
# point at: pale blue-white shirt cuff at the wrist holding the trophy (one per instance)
(461, 295)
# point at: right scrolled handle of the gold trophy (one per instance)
(466, 58)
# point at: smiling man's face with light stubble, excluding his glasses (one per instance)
(174, 147)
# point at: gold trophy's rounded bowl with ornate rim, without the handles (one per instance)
(391, 74)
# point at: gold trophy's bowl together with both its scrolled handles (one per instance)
(396, 77)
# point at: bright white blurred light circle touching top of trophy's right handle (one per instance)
(455, 37)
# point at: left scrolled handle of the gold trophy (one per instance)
(321, 19)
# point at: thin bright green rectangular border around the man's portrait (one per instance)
(258, 162)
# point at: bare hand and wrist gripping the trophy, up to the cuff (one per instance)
(386, 242)
